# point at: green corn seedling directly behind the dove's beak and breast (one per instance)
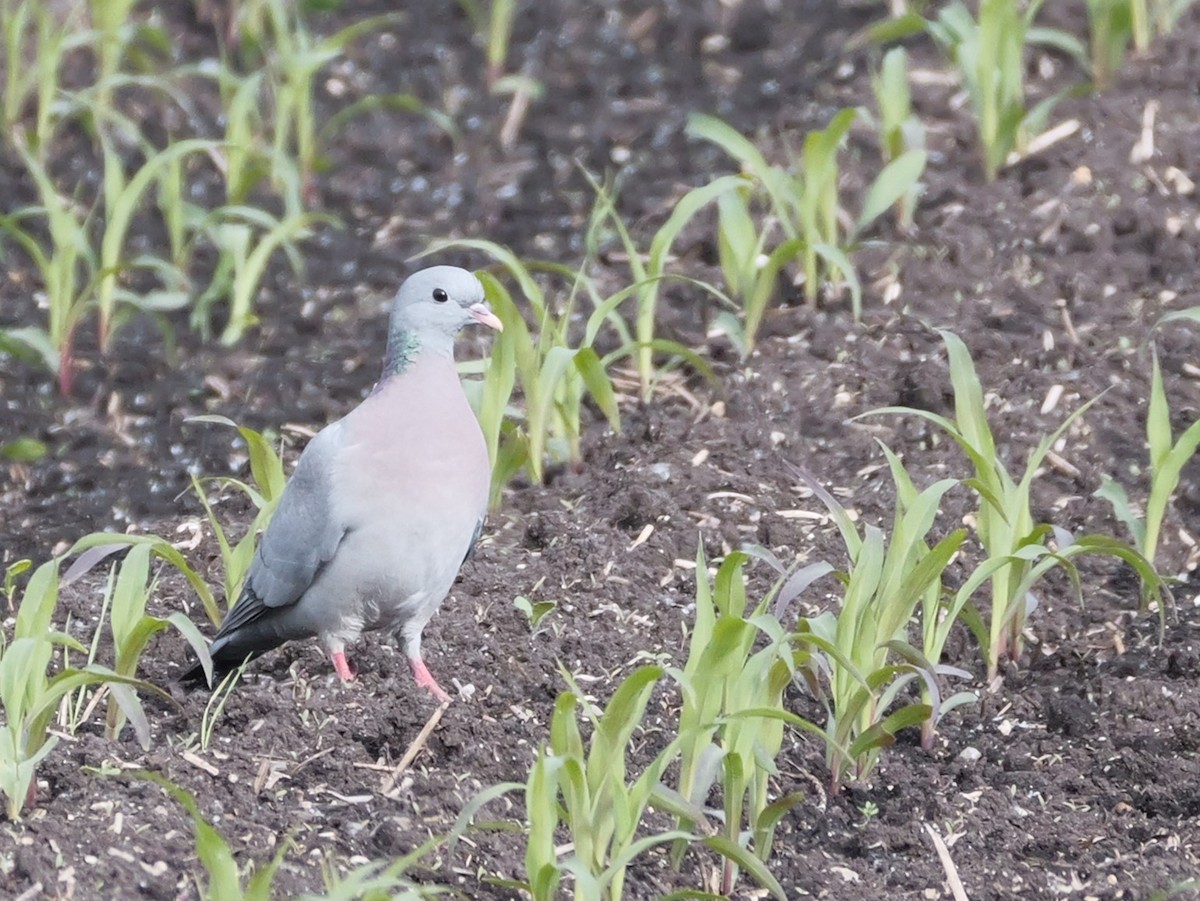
(554, 377)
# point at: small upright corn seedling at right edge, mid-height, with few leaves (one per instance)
(1168, 458)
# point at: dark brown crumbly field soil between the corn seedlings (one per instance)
(1079, 777)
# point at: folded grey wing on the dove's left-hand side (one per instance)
(302, 538)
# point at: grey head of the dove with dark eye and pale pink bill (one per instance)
(431, 308)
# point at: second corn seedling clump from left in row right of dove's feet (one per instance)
(733, 719)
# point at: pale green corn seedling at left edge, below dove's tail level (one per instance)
(31, 696)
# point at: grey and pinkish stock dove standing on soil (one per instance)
(385, 506)
